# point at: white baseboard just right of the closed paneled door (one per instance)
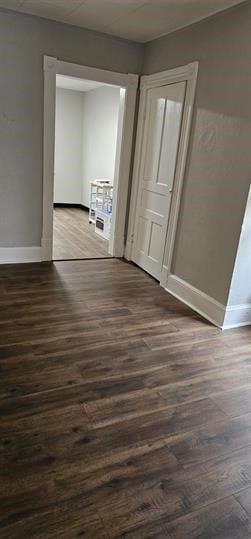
(208, 307)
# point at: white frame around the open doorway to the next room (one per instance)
(53, 67)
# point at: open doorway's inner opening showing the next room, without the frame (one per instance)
(86, 129)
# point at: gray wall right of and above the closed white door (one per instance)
(219, 164)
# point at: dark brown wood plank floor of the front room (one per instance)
(123, 413)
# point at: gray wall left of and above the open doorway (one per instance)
(23, 42)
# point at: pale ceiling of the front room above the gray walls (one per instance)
(138, 20)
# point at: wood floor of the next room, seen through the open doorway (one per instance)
(74, 237)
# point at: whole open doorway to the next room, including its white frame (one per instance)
(88, 135)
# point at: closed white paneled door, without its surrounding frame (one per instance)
(163, 119)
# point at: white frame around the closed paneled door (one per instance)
(188, 74)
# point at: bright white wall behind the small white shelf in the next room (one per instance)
(100, 125)
